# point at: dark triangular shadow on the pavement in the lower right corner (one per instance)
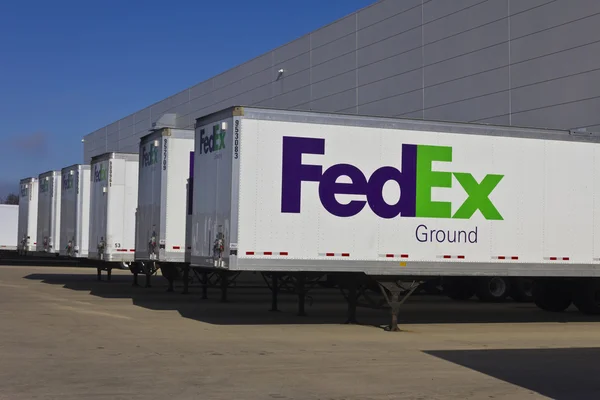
(566, 373)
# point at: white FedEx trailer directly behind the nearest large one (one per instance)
(161, 211)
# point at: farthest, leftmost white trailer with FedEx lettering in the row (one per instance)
(28, 205)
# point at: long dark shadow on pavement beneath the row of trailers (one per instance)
(250, 306)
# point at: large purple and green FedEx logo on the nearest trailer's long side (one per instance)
(416, 179)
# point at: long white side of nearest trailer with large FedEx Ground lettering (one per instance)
(416, 201)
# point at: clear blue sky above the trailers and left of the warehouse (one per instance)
(68, 67)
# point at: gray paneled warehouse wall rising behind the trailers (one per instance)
(520, 62)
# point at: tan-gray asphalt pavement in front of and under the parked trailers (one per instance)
(64, 335)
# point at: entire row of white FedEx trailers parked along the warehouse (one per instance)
(369, 203)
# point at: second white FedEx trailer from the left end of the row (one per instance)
(48, 216)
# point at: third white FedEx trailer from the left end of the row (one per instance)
(75, 211)
